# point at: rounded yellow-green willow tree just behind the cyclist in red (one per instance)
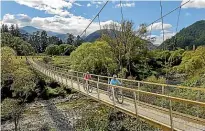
(96, 57)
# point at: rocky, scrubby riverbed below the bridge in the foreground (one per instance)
(74, 112)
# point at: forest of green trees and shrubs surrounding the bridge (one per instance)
(125, 53)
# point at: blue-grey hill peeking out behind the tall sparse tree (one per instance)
(97, 34)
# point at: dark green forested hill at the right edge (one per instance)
(187, 37)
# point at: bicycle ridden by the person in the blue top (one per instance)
(117, 94)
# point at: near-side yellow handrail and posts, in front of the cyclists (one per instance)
(171, 99)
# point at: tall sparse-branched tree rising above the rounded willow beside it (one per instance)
(123, 43)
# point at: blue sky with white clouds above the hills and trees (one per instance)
(70, 16)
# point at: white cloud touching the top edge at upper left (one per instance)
(54, 7)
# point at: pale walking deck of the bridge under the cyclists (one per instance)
(148, 113)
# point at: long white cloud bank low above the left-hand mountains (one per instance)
(73, 24)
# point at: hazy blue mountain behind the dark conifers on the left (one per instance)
(31, 29)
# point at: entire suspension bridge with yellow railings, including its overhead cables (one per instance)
(157, 106)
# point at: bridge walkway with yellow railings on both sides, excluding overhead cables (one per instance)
(164, 117)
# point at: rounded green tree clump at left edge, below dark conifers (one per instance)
(21, 47)
